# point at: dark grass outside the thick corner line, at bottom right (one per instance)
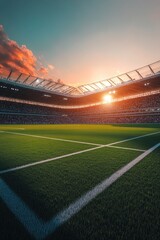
(129, 209)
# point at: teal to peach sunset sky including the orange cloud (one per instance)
(79, 41)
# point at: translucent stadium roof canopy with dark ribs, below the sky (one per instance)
(57, 87)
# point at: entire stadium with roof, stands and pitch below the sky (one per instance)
(68, 172)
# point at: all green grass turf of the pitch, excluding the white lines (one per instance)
(121, 212)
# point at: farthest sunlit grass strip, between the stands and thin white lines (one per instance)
(101, 134)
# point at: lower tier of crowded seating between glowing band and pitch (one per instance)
(137, 110)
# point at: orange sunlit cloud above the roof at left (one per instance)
(20, 58)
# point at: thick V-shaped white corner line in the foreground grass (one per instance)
(40, 229)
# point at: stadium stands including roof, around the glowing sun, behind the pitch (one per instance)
(134, 100)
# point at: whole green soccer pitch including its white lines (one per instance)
(76, 182)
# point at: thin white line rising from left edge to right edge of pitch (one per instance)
(70, 154)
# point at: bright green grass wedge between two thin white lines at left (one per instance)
(18, 150)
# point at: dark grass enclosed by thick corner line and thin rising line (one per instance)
(65, 180)
